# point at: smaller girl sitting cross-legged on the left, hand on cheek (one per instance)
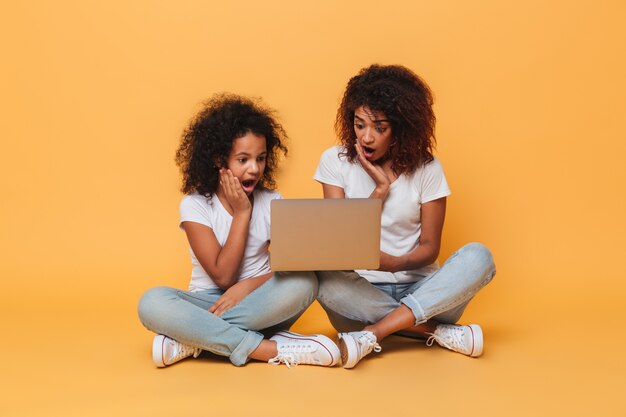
(228, 157)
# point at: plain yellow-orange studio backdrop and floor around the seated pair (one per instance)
(530, 106)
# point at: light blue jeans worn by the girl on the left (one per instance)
(184, 315)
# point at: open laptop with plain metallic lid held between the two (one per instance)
(325, 234)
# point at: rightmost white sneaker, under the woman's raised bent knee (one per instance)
(467, 340)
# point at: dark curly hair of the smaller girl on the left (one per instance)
(207, 141)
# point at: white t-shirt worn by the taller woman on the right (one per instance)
(401, 214)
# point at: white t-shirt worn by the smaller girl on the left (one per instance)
(211, 213)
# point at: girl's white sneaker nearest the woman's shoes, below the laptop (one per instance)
(296, 349)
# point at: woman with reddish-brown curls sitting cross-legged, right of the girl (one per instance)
(386, 126)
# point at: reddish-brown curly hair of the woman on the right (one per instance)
(406, 101)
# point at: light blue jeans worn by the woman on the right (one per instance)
(352, 302)
